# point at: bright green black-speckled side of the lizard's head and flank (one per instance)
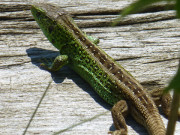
(79, 59)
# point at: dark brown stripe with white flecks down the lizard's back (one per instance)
(110, 65)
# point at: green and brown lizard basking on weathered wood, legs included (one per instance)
(109, 79)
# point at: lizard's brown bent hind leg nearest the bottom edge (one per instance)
(119, 111)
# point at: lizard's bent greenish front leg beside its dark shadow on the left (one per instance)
(58, 63)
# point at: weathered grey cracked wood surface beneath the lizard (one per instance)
(146, 44)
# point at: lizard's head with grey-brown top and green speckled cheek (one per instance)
(51, 19)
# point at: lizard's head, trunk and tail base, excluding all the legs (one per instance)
(108, 78)
